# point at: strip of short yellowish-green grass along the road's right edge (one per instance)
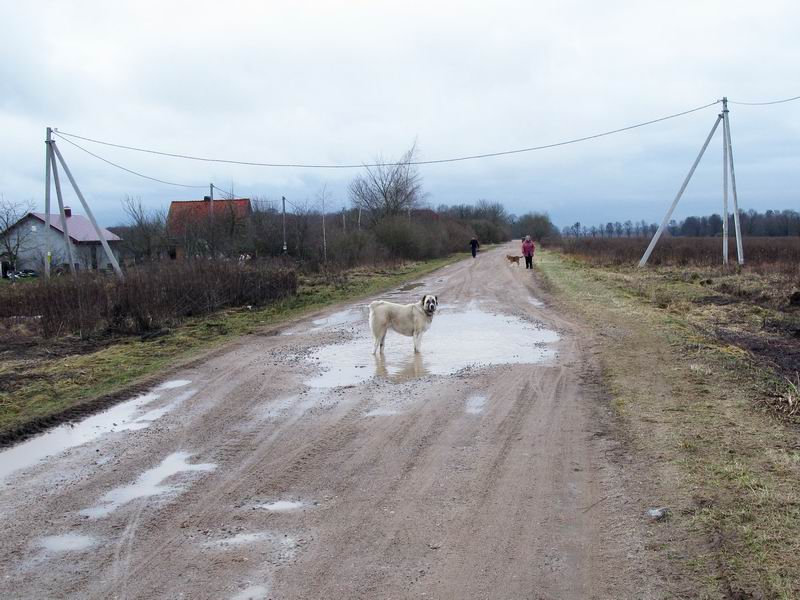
(698, 412)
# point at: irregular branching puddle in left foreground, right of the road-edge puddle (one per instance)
(150, 483)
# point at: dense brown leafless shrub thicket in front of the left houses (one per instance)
(148, 298)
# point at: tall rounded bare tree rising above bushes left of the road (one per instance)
(388, 189)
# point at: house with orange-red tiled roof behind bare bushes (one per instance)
(207, 227)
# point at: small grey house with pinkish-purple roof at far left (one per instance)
(30, 241)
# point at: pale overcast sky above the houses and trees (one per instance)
(346, 82)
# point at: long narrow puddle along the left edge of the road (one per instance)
(126, 416)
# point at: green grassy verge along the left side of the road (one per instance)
(47, 390)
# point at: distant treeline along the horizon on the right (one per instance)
(770, 223)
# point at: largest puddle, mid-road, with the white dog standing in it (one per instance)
(456, 340)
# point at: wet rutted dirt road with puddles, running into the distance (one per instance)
(295, 465)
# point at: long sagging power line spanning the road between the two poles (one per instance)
(419, 162)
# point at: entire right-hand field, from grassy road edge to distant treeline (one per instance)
(701, 364)
